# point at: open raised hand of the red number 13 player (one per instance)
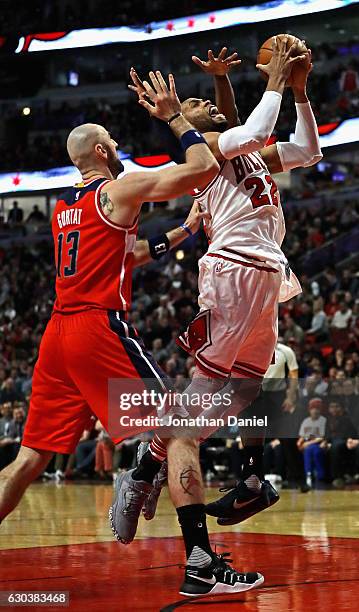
(160, 101)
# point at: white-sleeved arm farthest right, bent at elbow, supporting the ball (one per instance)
(304, 150)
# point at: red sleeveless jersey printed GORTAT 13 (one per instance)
(94, 256)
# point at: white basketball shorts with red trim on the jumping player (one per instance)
(236, 330)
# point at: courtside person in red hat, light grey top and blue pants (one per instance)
(310, 442)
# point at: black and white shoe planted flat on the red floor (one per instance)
(217, 579)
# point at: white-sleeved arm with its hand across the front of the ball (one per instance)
(253, 135)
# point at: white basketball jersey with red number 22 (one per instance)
(247, 222)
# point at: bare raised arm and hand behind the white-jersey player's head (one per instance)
(219, 67)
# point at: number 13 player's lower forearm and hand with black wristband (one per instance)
(157, 246)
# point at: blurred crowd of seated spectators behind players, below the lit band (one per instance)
(321, 326)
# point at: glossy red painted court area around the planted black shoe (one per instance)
(301, 574)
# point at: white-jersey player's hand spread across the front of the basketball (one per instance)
(283, 59)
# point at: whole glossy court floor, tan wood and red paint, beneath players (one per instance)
(307, 547)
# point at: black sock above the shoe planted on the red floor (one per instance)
(194, 528)
